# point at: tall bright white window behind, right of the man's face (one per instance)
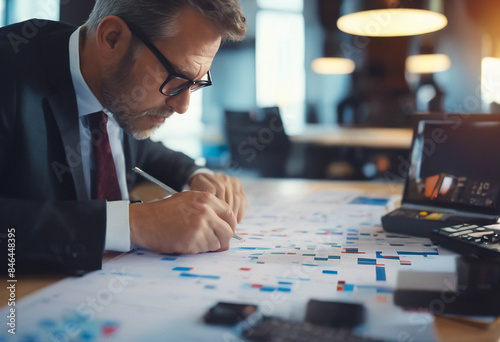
(280, 50)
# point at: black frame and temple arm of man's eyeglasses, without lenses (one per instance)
(168, 66)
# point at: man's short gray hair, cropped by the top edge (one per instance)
(157, 18)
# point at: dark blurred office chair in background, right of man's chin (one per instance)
(257, 141)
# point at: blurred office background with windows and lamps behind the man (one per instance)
(277, 110)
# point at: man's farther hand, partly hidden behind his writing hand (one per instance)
(226, 188)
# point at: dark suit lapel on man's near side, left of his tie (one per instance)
(62, 102)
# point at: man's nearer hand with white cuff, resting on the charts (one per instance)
(187, 222)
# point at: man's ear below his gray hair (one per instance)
(113, 38)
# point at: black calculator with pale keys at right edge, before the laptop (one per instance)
(482, 241)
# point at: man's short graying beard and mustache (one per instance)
(117, 94)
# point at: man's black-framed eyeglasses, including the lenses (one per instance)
(176, 82)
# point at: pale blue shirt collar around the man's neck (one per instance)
(86, 101)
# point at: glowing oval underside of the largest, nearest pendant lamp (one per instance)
(392, 22)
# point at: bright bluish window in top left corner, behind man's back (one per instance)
(20, 10)
